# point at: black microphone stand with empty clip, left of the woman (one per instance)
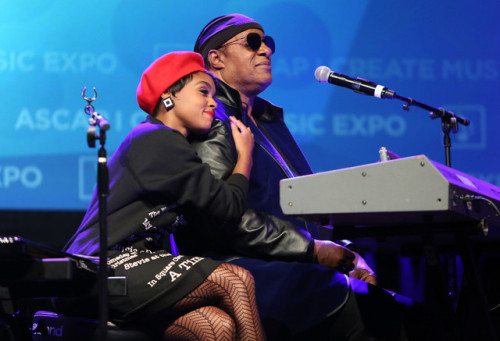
(96, 120)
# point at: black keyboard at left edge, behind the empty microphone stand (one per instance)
(30, 269)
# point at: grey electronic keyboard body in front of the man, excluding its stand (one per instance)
(406, 191)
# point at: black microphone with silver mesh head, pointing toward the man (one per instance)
(323, 74)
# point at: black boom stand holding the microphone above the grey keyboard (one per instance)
(449, 121)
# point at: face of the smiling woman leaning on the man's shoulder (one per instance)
(194, 106)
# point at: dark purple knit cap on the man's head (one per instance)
(221, 29)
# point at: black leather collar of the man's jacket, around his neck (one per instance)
(263, 110)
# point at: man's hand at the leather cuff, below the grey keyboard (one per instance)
(332, 255)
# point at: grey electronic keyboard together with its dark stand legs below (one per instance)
(410, 197)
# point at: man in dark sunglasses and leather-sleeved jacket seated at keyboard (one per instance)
(302, 286)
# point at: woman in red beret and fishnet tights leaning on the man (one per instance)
(155, 179)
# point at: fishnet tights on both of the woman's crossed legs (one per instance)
(223, 307)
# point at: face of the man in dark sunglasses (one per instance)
(246, 70)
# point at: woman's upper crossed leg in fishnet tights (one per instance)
(232, 289)
